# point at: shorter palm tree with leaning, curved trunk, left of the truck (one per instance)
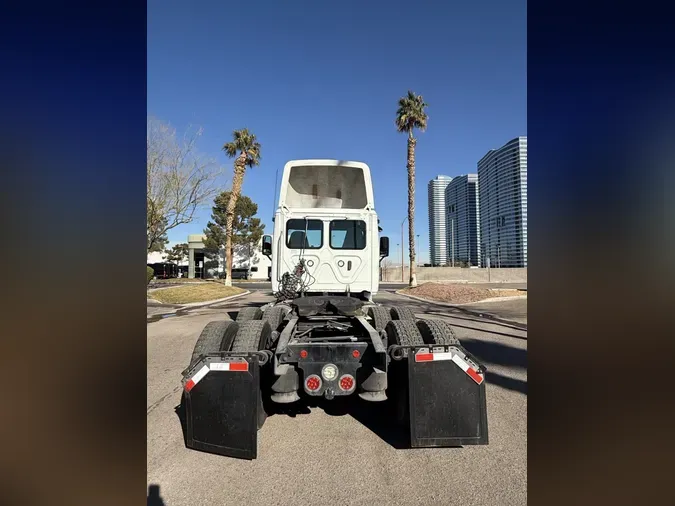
(245, 149)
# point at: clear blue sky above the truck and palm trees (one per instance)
(316, 79)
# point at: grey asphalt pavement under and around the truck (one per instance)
(329, 453)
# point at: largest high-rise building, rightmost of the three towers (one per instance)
(502, 190)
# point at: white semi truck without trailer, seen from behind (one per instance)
(324, 335)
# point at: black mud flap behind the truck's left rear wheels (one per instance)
(222, 396)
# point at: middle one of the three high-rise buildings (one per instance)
(462, 222)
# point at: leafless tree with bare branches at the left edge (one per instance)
(180, 180)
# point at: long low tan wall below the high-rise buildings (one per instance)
(505, 275)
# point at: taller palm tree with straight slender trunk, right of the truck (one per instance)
(411, 115)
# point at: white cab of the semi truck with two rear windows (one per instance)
(326, 216)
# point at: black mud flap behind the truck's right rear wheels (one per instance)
(446, 398)
